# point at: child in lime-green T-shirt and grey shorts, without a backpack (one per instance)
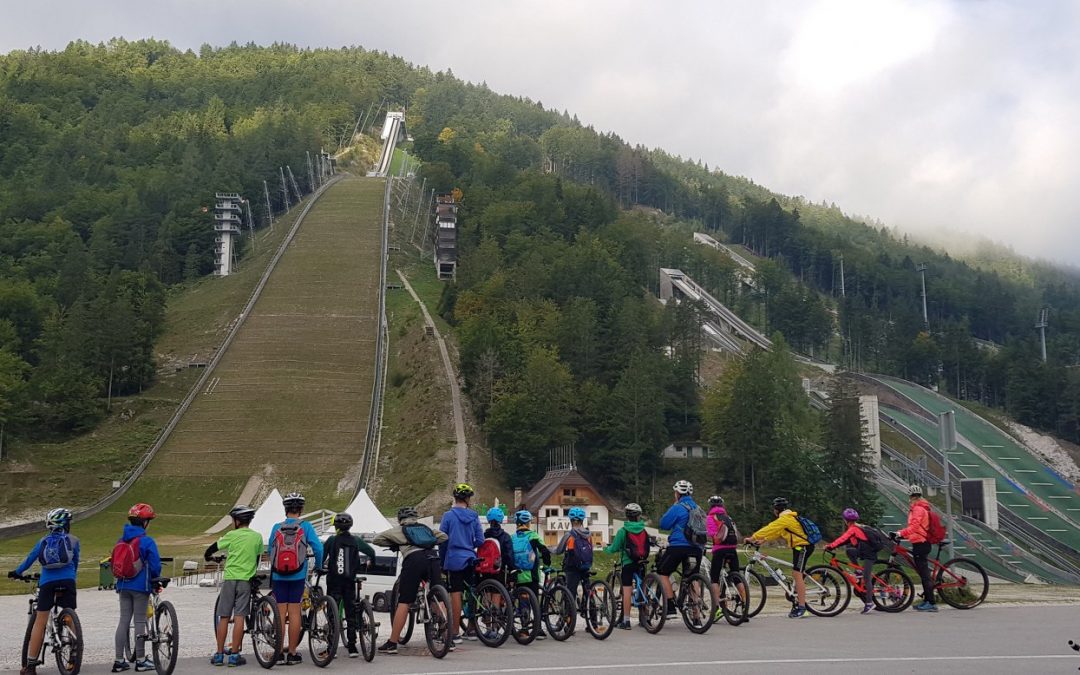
(245, 546)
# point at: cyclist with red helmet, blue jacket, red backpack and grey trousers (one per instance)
(136, 592)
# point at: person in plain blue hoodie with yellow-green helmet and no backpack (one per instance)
(464, 534)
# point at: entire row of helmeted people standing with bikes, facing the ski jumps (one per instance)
(460, 552)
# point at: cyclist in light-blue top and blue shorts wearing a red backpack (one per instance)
(289, 588)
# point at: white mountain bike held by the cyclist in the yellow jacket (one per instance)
(825, 587)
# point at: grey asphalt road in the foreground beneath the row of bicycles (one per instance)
(993, 639)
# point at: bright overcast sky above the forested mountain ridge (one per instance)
(946, 116)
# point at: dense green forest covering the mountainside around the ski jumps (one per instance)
(112, 152)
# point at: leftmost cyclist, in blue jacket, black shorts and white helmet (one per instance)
(59, 556)
